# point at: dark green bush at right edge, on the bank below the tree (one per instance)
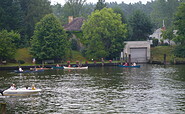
(179, 51)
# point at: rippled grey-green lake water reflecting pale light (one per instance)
(149, 89)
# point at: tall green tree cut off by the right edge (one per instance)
(180, 24)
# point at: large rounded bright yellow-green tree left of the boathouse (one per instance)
(104, 34)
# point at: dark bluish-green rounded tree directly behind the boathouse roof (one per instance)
(140, 26)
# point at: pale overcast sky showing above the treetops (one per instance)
(95, 1)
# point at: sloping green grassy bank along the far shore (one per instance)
(157, 54)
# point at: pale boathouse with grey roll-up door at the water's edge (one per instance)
(138, 50)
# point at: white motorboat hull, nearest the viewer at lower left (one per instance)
(20, 92)
